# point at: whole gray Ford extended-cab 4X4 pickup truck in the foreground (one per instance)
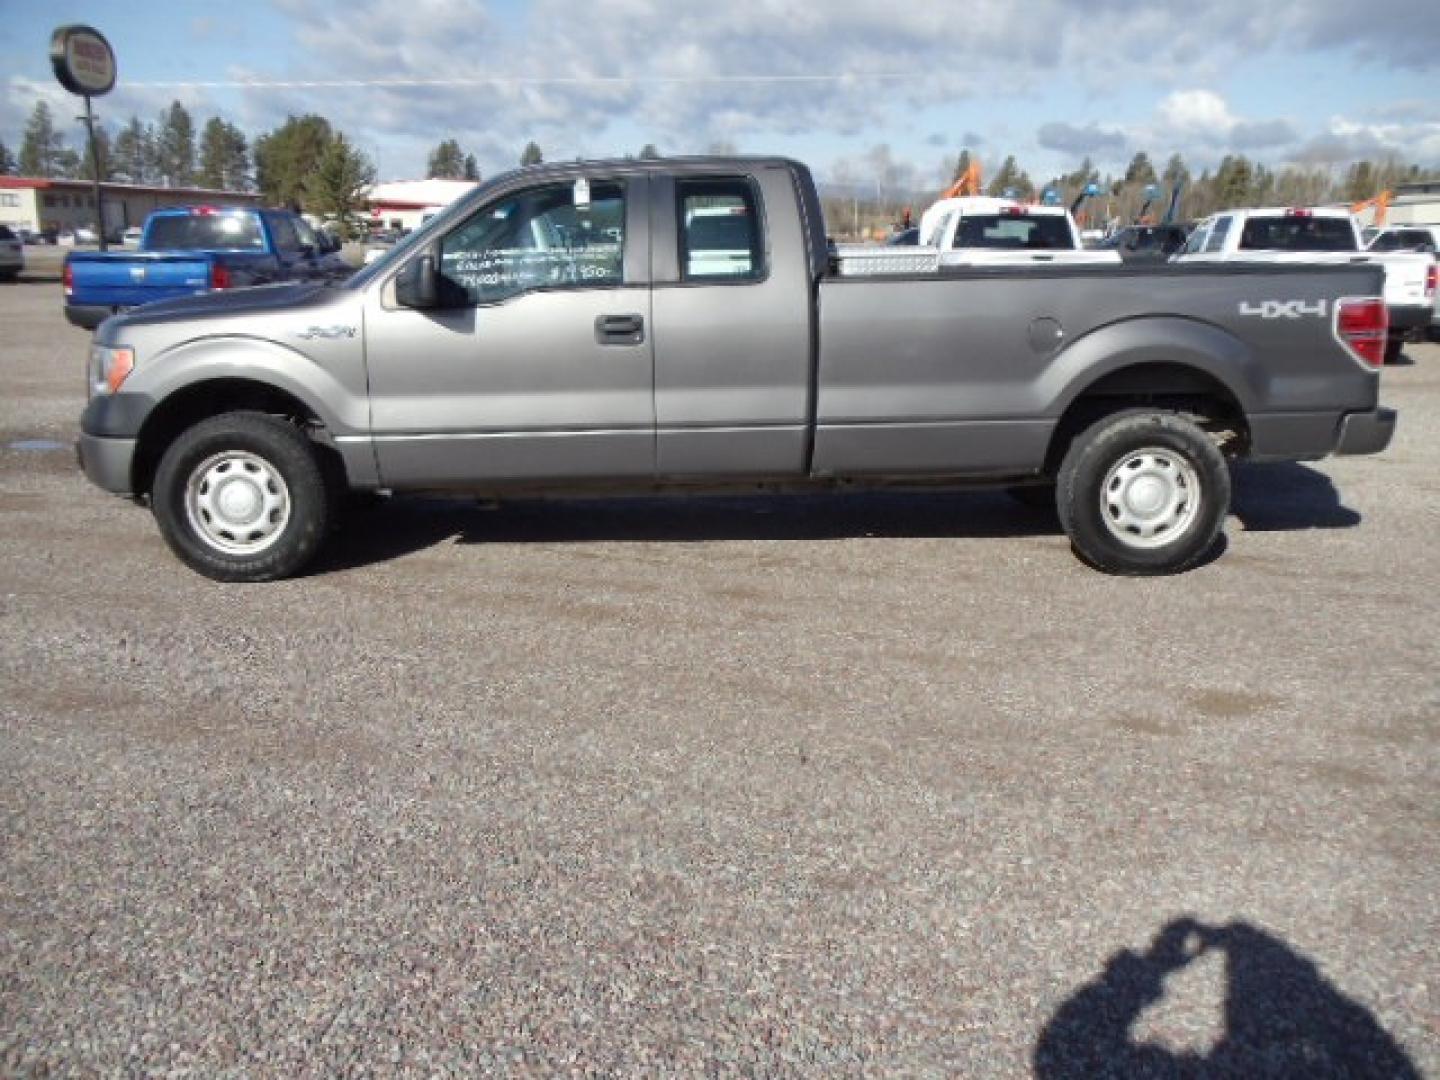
(683, 325)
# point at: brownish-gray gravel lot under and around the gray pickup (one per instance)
(809, 786)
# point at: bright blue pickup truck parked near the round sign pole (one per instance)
(198, 250)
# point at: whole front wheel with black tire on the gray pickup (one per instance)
(280, 510)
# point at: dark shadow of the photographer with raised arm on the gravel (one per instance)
(1284, 1019)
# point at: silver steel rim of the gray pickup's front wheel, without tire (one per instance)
(237, 503)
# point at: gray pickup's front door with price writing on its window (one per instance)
(539, 366)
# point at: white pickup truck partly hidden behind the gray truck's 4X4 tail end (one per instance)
(1323, 234)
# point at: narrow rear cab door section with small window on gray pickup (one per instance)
(734, 309)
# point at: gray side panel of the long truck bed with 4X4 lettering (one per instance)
(970, 369)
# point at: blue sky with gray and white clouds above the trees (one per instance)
(892, 90)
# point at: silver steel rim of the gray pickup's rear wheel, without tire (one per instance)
(1150, 498)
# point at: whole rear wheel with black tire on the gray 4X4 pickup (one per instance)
(1144, 493)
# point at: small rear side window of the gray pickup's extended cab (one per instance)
(721, 234)
